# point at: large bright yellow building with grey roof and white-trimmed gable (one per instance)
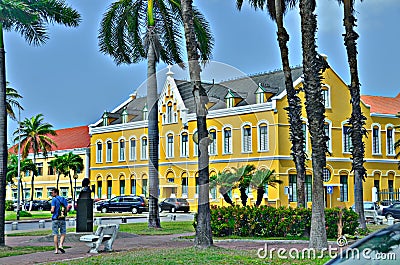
(248, 125)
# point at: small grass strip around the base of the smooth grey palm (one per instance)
(167, 228)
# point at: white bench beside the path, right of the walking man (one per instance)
(105, 234)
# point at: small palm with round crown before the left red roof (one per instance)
(34, 137)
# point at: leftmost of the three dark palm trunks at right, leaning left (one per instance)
(293, 109)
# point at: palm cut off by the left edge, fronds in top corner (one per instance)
(29, 18)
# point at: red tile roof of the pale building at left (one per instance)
(69, 138)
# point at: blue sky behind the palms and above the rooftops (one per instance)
(71, 83)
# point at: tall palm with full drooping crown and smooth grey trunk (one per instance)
(134, 30)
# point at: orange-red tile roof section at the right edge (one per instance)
(383, 105)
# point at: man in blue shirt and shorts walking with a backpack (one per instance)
(58, 224)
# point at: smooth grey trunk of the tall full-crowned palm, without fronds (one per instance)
(152, 104)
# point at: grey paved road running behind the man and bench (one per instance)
(164, 217)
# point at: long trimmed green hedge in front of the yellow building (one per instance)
(266, 221)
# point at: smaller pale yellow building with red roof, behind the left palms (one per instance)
(75, 140)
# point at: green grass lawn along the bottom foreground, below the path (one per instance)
(189, 256)
